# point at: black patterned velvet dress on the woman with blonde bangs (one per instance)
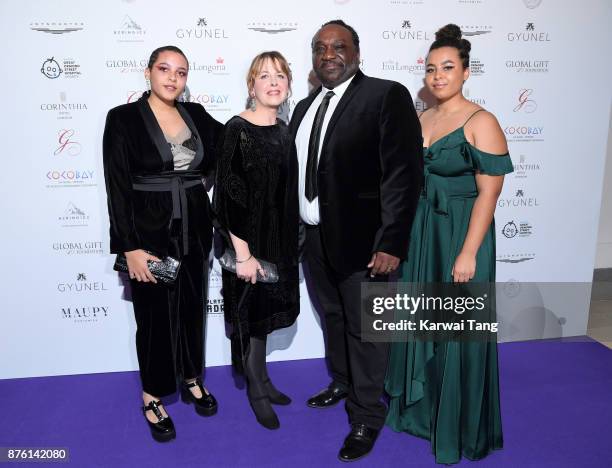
(255, 198)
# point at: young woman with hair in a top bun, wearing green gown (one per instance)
(448, 392)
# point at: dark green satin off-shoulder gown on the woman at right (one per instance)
(448, 392)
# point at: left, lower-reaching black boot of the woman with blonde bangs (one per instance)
(256, 391)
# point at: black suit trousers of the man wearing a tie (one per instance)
(358, 365)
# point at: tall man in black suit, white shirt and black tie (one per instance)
(359, 149)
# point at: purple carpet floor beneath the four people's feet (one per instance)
(556, 405)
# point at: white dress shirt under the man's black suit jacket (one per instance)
(309, 210)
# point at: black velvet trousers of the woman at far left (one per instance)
(171, 325)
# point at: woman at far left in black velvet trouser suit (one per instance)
(156, 154)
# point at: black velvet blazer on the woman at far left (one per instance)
(133, 146)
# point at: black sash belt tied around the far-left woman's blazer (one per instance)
(176, 182)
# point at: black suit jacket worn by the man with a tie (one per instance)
(370, 172)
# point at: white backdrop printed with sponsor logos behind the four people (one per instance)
(539, 65)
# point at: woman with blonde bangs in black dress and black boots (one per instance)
(256, 202)
